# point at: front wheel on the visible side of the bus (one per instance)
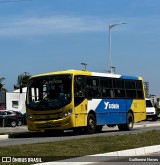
(91, 124)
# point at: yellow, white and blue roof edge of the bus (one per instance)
(88, 73)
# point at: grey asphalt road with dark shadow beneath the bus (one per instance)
(26, 137)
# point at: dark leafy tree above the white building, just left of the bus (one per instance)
(22, 80)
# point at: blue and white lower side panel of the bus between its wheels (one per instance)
(110, 111)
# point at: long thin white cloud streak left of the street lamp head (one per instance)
(49, 25)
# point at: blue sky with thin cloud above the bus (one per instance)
(39, 36)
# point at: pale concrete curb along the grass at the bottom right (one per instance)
(106, 157)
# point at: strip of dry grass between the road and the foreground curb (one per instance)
(80, 147)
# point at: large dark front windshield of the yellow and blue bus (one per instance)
(49, 92)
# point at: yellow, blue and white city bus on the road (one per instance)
(83, 100)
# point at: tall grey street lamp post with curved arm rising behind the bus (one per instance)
(112, 69)
